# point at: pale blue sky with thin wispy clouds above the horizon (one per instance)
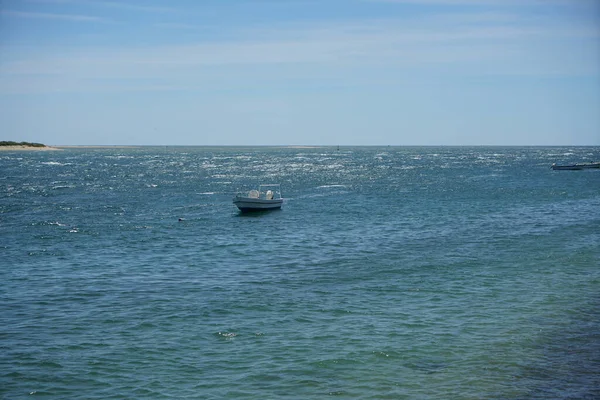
(300, 72)
